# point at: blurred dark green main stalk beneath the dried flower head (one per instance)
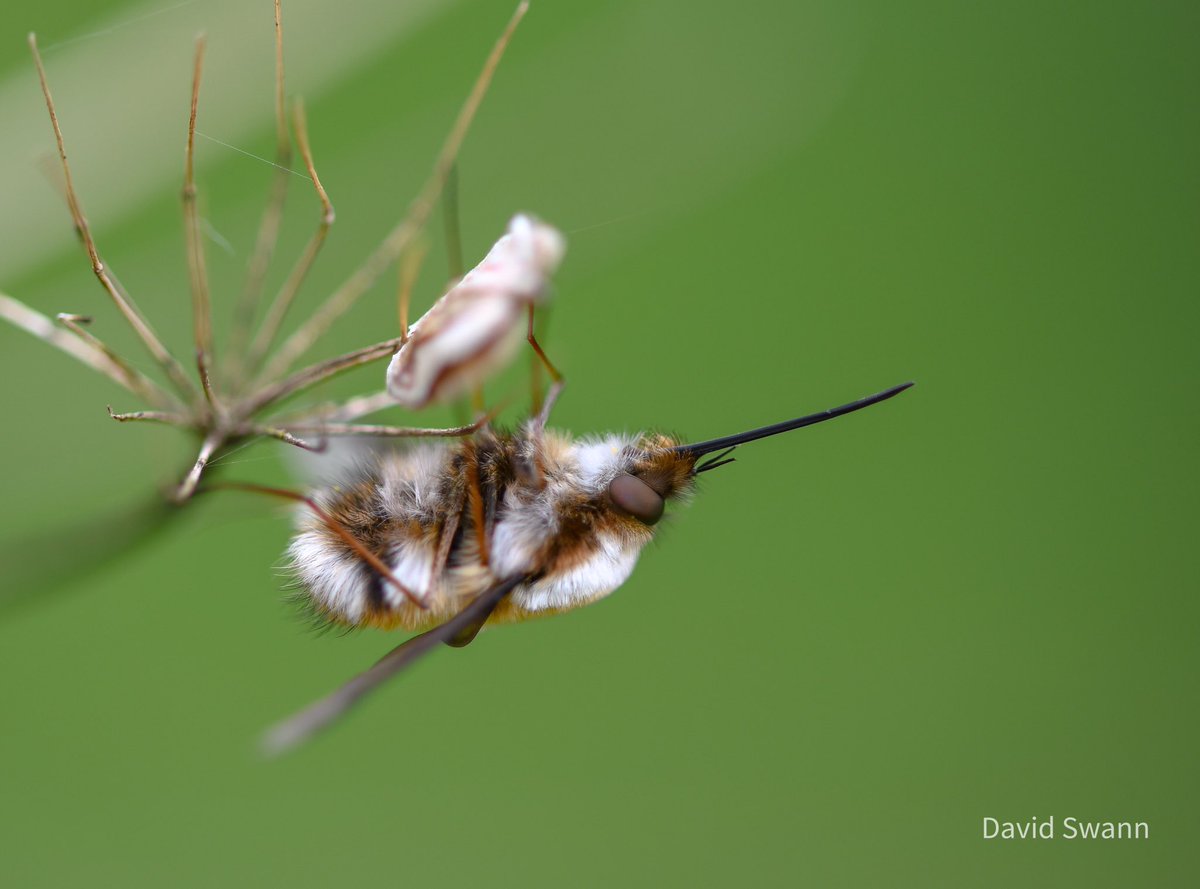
(41, 563)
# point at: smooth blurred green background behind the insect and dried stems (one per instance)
(976, 600)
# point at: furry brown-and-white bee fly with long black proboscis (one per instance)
(494, 530)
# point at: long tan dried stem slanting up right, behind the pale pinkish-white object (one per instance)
(401, 237)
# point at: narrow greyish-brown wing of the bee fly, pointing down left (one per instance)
(304, 725)
